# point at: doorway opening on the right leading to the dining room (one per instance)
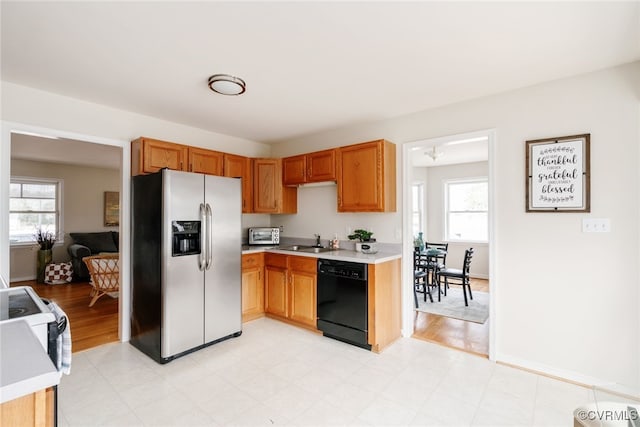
(448, 199)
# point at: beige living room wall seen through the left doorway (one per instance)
(82, 209)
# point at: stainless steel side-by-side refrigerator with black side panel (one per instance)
(186, 254)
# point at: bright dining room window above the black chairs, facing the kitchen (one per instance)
(466, 207)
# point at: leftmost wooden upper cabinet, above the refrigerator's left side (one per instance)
(150, 155)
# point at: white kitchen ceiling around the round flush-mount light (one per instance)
(309, 67)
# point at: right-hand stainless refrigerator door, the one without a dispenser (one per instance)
(223, 307)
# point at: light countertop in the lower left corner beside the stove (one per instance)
(25, 366)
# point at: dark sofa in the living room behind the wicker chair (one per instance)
(87, 244)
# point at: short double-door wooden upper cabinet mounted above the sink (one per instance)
(313, 167)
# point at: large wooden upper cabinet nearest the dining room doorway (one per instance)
(367, 177)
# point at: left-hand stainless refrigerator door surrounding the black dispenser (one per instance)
(182, 281)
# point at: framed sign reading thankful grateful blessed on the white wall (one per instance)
(558, 174)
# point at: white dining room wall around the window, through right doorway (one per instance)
(435, 215)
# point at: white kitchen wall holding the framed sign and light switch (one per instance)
(566, 302)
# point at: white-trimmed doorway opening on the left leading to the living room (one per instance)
(86, 168)
